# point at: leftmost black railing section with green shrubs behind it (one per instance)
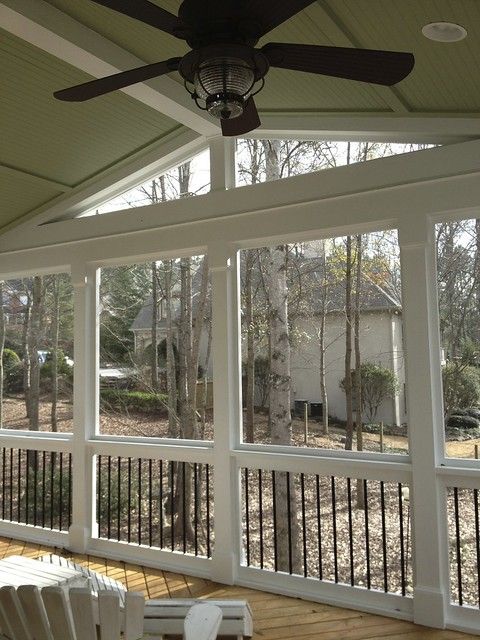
(36, 487)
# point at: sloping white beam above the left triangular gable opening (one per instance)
(151, 161)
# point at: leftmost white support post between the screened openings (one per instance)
(85, 405)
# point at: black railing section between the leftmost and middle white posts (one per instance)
(157, 503)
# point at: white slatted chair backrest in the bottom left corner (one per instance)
(28, 614)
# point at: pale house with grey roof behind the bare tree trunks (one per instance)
(381, 342)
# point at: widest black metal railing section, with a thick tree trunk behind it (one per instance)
(343, 530)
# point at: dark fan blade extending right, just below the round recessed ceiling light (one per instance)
(366, 65)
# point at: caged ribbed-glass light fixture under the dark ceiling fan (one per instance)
(224, 84)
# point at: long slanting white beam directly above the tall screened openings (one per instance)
(434, 172)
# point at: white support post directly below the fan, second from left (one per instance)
(227, 411)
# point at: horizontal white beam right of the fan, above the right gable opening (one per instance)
(428, 129)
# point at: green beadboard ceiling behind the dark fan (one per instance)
(68, 143)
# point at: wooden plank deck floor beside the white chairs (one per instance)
(274, 616)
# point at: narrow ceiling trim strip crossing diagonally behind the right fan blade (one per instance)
(345, 38)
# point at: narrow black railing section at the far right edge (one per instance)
(463, 513)
